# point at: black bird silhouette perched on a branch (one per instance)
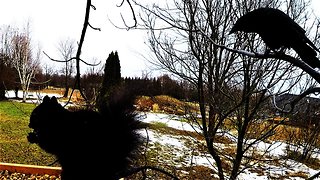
(278, 30)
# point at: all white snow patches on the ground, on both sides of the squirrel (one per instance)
(276, 149)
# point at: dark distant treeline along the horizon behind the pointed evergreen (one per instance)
(90, 83)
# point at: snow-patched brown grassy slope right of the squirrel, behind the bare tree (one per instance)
(177, 146)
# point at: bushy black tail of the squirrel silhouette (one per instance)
(121, 117)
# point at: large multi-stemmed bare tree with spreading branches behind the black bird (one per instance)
(189, 39)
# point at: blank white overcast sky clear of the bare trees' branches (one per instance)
(53, 21)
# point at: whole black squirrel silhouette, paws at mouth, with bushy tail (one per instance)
(88, 144)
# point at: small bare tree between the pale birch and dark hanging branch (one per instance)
(67, 50)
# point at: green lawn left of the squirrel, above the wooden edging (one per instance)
(14, 146)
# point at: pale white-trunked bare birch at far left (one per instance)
(17, 45)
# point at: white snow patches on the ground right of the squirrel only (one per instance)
(276, 150)
